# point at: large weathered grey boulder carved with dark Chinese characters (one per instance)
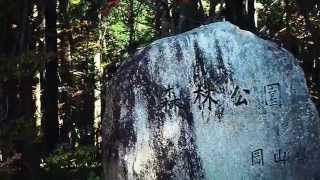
(215, 103)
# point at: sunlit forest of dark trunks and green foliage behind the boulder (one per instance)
(56, 57)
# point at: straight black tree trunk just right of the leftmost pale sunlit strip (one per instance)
(50, 121)
